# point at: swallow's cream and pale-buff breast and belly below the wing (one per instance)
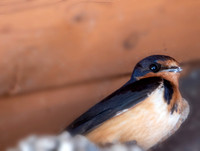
(148, 122)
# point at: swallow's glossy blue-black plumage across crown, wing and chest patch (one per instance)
(133, 92)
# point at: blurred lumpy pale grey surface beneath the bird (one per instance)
(64, 142)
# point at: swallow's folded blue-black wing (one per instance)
(124, 98)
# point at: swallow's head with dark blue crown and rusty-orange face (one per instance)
(157, 66)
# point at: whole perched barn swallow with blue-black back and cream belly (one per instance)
(147, 109)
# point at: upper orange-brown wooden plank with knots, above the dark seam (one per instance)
(59, 42)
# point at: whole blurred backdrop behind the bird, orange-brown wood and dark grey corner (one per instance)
(60, 57)
